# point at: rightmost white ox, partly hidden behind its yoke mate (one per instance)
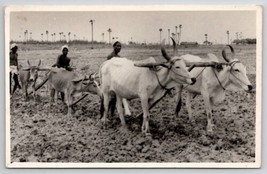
(213, 82)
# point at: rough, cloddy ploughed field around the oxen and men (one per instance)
(38, 135)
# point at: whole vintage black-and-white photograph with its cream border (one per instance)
(133, 86)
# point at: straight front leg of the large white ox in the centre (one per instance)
(146, 116)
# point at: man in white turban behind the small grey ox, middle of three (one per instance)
(63, 61)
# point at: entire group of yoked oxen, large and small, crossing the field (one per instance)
(148, 80)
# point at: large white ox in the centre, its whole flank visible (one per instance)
(121, 77)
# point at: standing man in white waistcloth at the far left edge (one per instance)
(13, 59)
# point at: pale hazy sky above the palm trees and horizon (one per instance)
(141, 26)
